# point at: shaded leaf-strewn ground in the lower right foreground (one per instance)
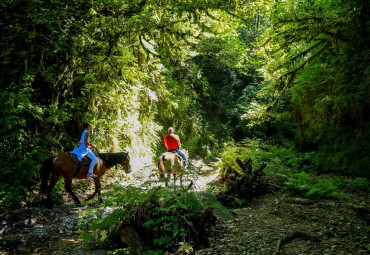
(279, 224)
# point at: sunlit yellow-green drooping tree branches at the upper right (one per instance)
(299, 33)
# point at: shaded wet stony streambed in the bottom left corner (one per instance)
(36, 229)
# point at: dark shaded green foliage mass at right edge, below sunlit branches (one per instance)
(341, 130)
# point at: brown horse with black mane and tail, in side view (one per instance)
(62, 166)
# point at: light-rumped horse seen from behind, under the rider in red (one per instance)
(177, 164)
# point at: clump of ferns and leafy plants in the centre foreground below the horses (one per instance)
(169, 215)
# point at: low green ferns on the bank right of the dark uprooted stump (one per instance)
(288, 168)
